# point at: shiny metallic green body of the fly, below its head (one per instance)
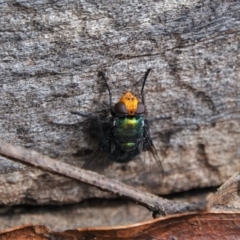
(128, 131)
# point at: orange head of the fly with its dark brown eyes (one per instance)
(129, 104)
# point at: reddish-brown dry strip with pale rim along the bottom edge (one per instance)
(207, 226)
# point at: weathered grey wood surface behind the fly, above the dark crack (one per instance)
(51, 52)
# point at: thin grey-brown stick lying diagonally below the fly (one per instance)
(155, 204)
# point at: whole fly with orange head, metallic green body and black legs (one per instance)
(126, 134)
